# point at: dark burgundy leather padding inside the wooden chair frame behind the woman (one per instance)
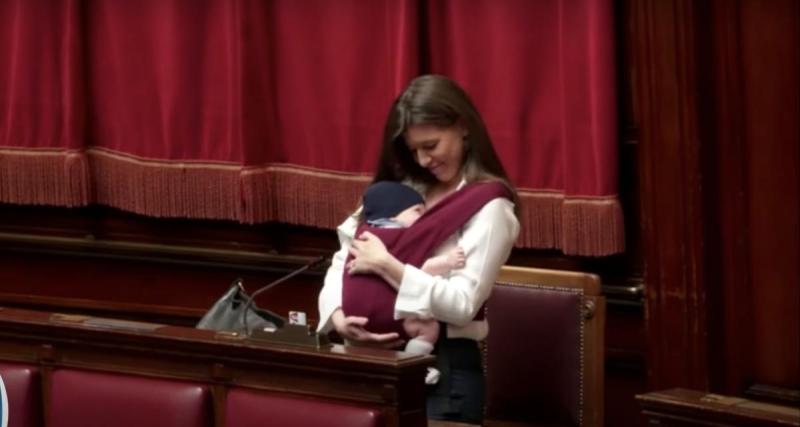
(544, 350)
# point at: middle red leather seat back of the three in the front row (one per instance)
(89, 399)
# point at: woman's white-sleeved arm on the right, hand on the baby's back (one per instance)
(487, 239)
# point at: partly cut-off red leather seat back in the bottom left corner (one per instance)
(24, 398)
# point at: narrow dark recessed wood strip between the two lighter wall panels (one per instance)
(727, 243)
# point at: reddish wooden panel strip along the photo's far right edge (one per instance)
(770, 52)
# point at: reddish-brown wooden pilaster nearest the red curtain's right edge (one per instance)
(663, 68)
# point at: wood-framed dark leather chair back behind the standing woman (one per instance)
(544, 353)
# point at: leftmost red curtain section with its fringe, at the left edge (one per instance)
(42, 104)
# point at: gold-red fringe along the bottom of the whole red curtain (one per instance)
(587, 226)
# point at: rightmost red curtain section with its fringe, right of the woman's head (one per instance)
(542, 74)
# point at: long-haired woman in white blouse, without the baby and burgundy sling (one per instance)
(436, 141)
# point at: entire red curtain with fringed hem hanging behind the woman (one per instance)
(273, 110)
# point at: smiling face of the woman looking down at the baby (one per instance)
(438, 149)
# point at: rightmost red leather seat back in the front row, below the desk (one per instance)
(246, 408)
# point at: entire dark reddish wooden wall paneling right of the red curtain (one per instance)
(717, 104)
